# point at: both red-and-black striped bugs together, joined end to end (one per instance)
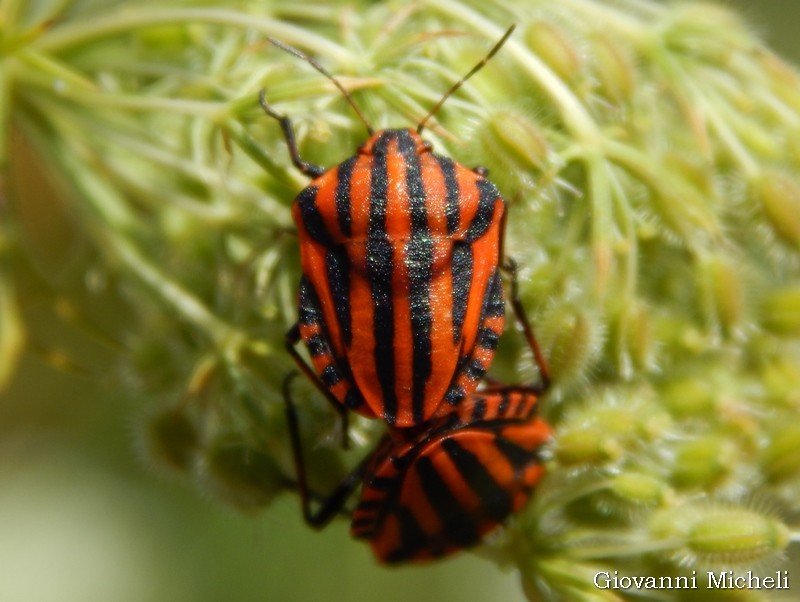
(401, 306)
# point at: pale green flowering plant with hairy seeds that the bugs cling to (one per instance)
(649, 153)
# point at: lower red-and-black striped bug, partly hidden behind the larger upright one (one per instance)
(430, 493)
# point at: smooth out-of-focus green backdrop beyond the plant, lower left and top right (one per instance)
(83, 519)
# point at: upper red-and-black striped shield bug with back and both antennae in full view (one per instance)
(401, 301)
